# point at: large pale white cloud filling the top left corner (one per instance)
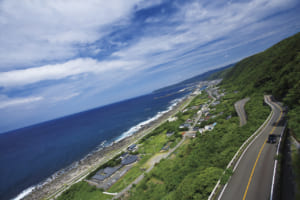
(47, 30)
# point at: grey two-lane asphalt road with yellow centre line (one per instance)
(252, 178)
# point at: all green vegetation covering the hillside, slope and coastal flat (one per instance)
(194, 168)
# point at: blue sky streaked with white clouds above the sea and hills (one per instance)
(59, 57)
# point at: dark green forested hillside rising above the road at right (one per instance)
(274, 71)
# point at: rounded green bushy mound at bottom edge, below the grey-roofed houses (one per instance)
(83, 190)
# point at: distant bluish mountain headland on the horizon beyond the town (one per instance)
(210, 75)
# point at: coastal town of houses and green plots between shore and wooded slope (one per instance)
(200, 110)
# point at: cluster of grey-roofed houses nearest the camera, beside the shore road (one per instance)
(126, 159)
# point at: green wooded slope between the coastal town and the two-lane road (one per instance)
(196, 167)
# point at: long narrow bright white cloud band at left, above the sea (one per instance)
(59, 71)
